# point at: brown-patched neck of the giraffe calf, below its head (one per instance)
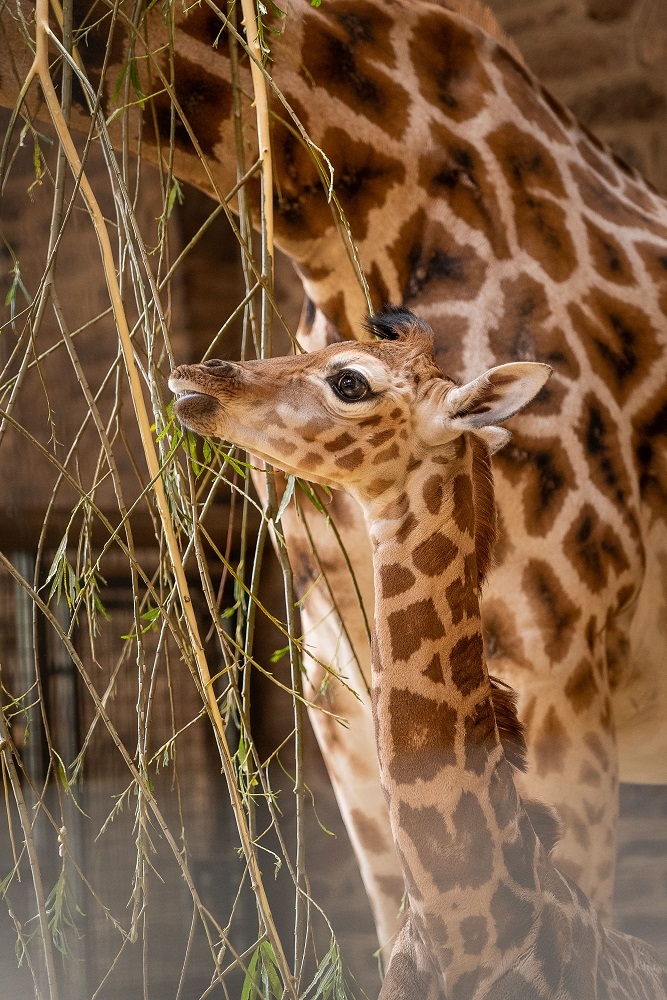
(456, 818)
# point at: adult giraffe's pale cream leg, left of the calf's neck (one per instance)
(342, 651)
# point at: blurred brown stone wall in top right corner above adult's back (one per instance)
(607, 61)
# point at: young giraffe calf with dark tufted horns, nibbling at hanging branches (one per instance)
(489, 915)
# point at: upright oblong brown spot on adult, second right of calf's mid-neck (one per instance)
(554, 613)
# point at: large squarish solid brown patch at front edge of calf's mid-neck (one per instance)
(422, 736)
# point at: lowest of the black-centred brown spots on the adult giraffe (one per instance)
(594, 549)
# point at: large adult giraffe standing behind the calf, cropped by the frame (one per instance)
(478, 201)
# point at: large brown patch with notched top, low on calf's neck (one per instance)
(469, 847)
